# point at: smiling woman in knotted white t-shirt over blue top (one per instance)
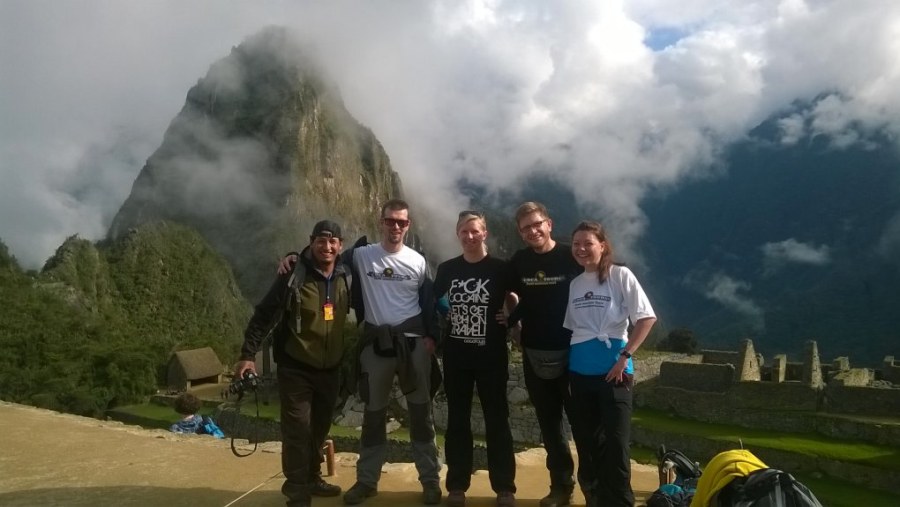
(602, 300)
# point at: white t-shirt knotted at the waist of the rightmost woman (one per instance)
(602, 311)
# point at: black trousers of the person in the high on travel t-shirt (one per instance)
(459, 385)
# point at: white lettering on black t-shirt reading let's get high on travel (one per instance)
(469, 301)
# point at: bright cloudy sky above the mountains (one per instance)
(489, 90)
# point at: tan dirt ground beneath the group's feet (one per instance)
(53, 459)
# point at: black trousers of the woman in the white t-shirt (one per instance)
(604, 414)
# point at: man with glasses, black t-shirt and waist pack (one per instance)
(541, 276)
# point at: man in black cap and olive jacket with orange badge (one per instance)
(305, 309)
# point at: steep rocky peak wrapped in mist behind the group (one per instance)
(262, 149)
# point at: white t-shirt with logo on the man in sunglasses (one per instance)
(390, 283)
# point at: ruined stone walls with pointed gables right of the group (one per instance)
(783, 396)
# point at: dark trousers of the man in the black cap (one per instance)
(307, 397)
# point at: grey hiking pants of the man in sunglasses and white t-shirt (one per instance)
(377, 378)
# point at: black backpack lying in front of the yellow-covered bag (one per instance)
(767, 487)
